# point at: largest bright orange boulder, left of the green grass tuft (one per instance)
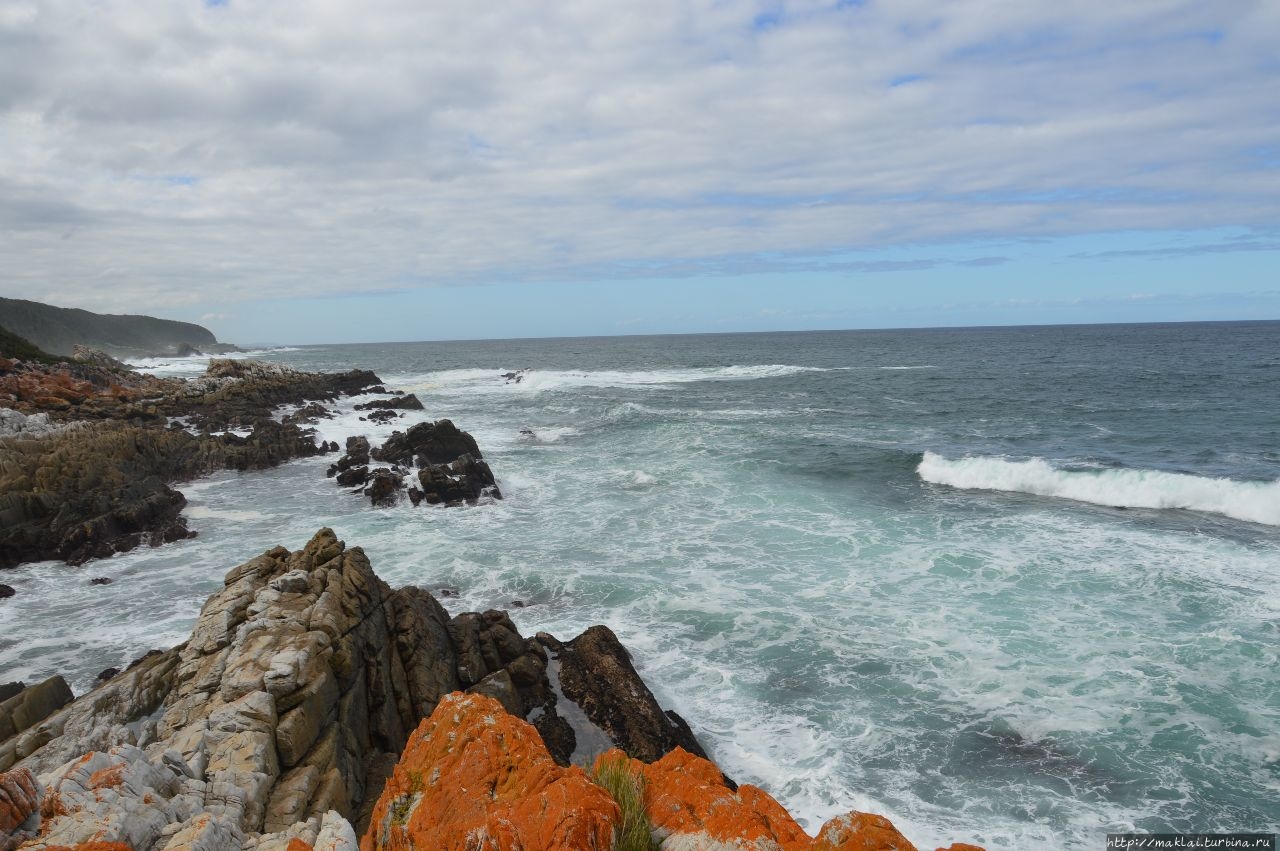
(474, 777)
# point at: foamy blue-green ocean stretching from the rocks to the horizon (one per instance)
(1014, 587)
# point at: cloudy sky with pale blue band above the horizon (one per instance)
(308, 172)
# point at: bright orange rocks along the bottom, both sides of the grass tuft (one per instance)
(477, 779)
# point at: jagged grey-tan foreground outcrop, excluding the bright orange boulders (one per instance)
(284, 715)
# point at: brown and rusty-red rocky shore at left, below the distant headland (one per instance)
(81, 491)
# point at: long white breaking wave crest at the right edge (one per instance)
(1256, 502)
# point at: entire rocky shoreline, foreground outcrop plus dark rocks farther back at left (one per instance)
(314, 707)
